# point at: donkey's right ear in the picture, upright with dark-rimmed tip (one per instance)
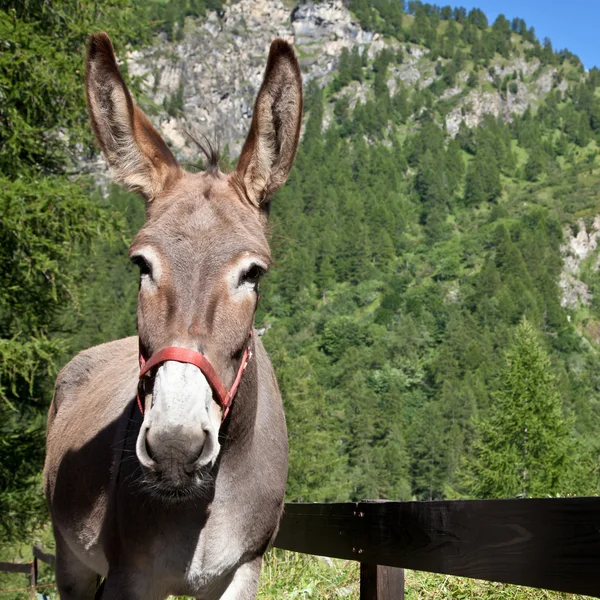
(270, 148)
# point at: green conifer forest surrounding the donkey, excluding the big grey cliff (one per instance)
(433, 310)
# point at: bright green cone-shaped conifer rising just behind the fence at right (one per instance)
(523, 446)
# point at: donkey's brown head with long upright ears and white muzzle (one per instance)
(201, 254)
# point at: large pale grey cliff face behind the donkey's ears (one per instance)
(220, 64)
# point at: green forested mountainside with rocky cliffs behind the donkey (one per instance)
(433, 313)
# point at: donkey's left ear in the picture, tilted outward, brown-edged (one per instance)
(135, 152)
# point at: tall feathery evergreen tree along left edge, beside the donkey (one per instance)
(48, 221)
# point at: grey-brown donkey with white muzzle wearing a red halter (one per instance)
(176, 485)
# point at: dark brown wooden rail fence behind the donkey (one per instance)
(544, 543)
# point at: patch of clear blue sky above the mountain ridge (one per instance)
(574, 25)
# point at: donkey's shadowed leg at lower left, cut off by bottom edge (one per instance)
(74, 580)
